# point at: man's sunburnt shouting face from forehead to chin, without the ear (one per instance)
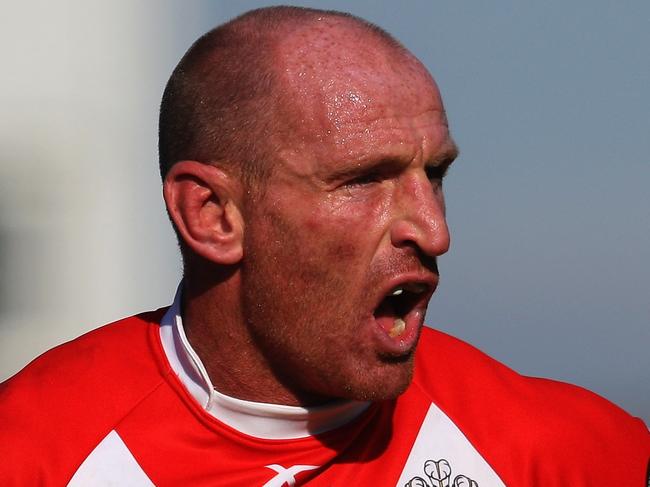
(340, 247)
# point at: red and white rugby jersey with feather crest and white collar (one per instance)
(130, 404)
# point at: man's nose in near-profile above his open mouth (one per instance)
(420, 220)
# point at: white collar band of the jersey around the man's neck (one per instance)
(262, 420)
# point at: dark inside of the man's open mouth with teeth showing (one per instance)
(395, 311)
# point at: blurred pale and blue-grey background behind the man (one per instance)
(549, 203)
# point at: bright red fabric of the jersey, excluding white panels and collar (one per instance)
(530, 431)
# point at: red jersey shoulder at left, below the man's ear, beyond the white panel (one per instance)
(60, 405)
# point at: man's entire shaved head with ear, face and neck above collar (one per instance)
(303, 153)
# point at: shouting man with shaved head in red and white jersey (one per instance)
(302, 154)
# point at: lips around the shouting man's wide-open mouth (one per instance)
(405, 343)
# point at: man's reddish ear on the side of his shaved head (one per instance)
(203, 202)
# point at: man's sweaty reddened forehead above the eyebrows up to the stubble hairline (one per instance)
(353, 96)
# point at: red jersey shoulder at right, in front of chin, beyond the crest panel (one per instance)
(544, 421)
